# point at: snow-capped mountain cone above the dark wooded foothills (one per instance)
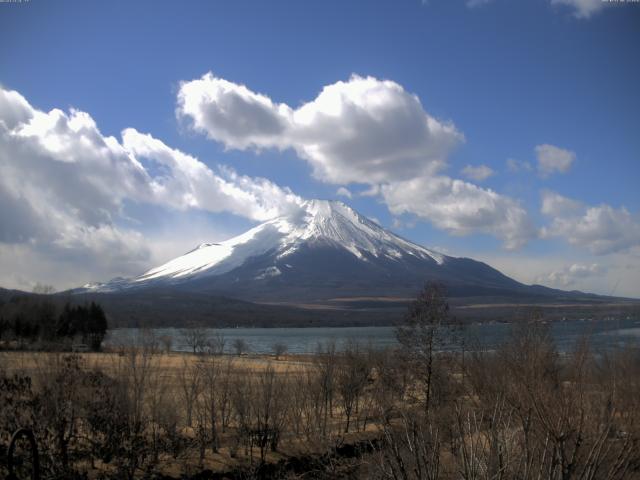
(324, 252)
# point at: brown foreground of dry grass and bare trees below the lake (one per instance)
(522, 411)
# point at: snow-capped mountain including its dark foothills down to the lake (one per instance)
(322, 265)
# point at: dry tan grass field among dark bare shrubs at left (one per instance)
(191, 390)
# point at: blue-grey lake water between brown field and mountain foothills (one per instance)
(603, 334)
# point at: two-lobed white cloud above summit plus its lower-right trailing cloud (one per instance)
(364, 131)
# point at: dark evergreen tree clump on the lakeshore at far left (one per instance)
(44, 321)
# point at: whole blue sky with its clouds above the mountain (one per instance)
(541, 93)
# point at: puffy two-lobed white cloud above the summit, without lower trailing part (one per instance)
(363, 130)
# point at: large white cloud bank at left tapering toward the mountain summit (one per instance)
(64, 187)
